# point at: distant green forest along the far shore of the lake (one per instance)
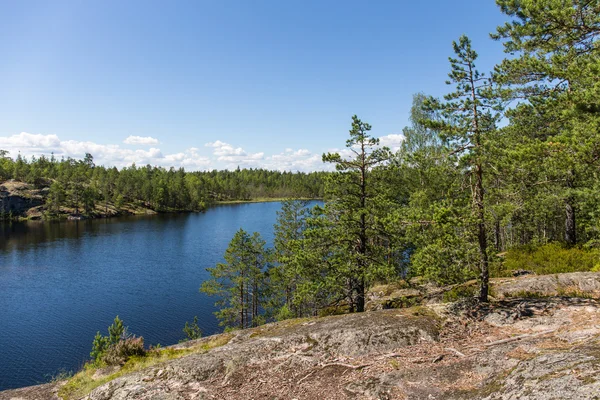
(83, 186)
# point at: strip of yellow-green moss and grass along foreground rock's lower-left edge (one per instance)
(83, 382)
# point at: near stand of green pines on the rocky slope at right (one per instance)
(503, 160)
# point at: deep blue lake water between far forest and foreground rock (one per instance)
(62, 282)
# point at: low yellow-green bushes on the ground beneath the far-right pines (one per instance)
(551, 258)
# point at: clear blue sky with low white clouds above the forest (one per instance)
(220, 84)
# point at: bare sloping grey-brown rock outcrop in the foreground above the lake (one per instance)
(545, 346)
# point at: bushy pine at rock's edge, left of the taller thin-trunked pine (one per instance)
(356, 237)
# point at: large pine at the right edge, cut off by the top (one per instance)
(555, 70)
